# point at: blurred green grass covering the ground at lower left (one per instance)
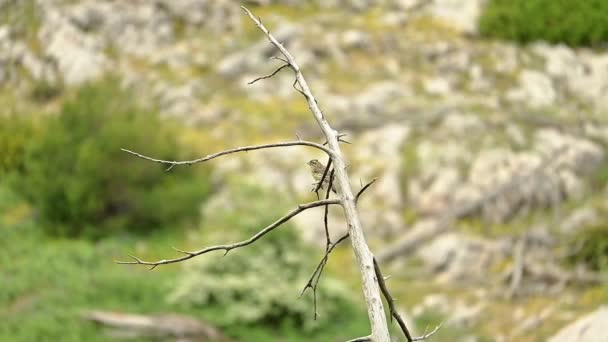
(47, 284)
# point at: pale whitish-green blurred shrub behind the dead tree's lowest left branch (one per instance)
(260, 283)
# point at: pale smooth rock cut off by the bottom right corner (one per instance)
(589, 328)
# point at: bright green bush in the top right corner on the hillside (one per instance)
(575, 23)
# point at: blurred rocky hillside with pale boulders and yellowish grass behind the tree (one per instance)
(491, 157)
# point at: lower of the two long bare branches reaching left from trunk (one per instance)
(227, 248)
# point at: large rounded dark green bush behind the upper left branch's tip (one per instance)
(82, 184)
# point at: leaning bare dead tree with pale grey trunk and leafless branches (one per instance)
(371, 278)
